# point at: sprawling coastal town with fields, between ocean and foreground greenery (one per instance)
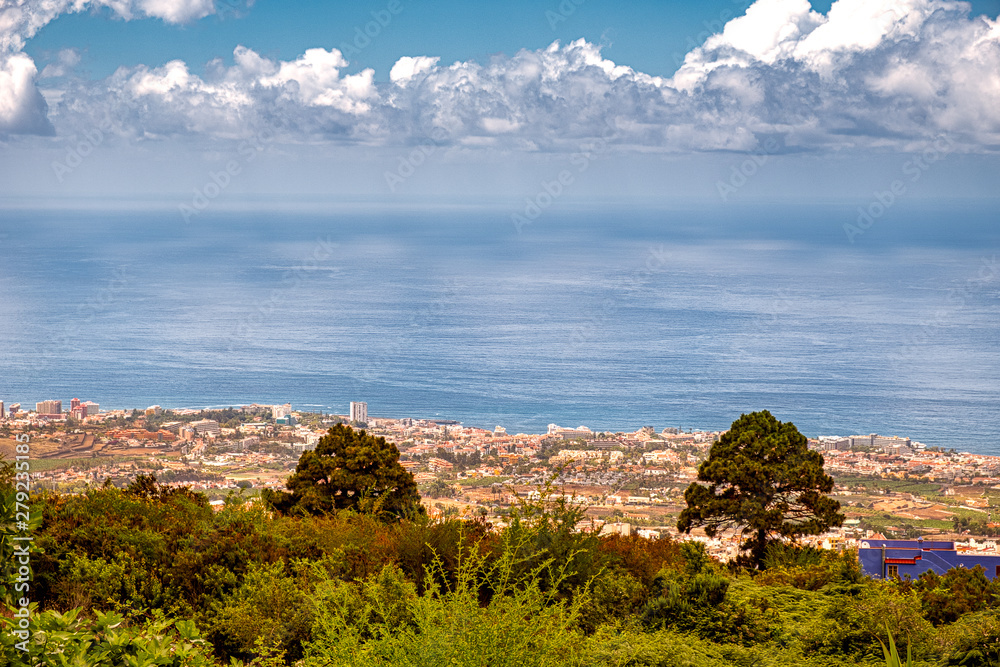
(620, 482)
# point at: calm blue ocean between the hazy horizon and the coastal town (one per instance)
(613, 316)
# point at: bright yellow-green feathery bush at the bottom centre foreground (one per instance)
(382, 621)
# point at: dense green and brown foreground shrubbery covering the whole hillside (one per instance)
(152, 576)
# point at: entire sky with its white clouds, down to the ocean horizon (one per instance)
(495, 98)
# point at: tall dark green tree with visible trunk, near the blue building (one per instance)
(761, 479)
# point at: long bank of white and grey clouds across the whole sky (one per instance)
(870, 74)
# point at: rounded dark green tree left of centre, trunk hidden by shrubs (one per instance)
(349, 470)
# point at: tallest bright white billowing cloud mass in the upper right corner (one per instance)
(867, 73)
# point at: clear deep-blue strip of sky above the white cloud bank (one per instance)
(652, 37)
